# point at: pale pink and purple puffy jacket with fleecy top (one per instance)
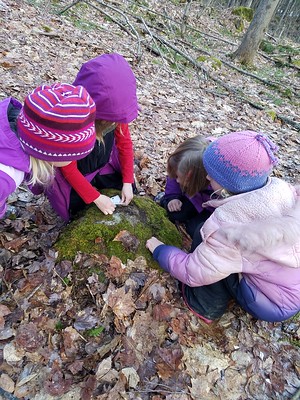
(255, 234)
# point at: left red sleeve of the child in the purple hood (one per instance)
(79, 183)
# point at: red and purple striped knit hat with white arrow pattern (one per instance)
(57, 123)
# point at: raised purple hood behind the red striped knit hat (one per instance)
(111, 83)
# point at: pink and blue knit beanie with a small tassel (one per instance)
(240, 161)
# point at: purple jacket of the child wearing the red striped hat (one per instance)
(14, 162)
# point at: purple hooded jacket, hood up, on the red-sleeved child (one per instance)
(111, 83)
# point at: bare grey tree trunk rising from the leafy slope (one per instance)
(255, 33)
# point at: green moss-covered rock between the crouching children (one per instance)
(95, 233)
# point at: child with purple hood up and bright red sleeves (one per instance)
(111, 83)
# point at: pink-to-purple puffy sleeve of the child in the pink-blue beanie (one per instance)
(210, 262)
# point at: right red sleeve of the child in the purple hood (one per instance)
(125, 148)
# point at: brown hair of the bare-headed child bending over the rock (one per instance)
(187, 160)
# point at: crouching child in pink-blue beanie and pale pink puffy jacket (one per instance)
(249, 248)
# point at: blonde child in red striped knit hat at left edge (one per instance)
(55, 126)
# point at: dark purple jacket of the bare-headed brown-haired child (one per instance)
(173, 191)
